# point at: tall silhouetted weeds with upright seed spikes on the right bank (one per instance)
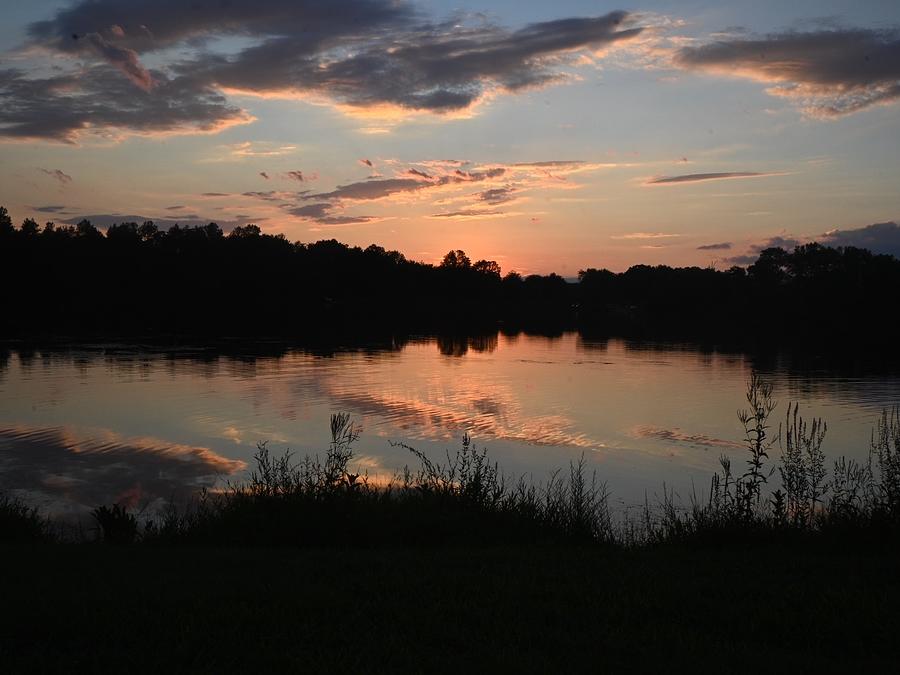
(858, 498)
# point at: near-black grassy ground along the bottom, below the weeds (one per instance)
(91, 608)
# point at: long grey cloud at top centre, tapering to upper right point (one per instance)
(436, 68)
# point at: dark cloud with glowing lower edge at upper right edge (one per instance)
(827, 73)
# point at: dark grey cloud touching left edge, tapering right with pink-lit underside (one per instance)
(98, 99)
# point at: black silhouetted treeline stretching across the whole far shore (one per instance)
(139, 280)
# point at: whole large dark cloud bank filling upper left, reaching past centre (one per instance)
(380, 58)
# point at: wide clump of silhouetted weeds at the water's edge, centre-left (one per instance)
(463, 499)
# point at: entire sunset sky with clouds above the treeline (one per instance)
(545, 136)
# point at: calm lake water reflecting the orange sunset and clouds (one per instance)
(86, 426)
